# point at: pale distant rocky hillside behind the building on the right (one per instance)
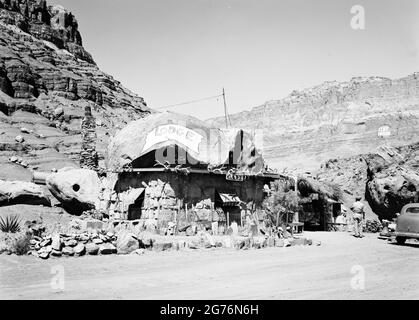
(335, 120)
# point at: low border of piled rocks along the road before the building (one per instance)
(125, 242)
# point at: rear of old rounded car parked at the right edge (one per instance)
(407, 225)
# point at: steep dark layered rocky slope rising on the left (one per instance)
(47, 79)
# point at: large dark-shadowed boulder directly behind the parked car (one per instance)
(393, 180)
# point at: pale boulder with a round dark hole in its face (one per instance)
(77, 189)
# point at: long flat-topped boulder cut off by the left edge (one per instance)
(21, 192)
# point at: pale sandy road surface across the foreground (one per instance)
(306, 272)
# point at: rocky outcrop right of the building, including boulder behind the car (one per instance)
(387, 178)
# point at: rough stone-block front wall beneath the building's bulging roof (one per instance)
(184, 199)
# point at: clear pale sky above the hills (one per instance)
(171, 51)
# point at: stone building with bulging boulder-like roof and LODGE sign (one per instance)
(171, 168)
